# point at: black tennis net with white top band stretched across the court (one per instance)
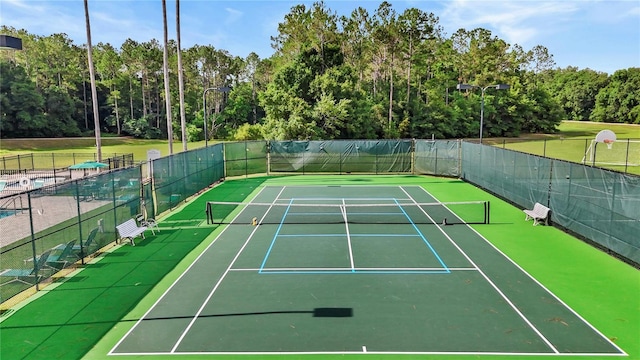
(351, 211)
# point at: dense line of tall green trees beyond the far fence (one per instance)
(366, 75)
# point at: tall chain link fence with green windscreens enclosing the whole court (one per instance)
(56, 226)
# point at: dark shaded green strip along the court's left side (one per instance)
(69, 319)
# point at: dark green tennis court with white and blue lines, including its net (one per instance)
(356, 269)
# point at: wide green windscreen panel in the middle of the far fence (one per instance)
(341, 156)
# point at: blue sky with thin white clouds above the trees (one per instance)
(602, 35)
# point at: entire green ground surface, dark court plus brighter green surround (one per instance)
(365, 273)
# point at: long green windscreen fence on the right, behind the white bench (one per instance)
(600, 205)
